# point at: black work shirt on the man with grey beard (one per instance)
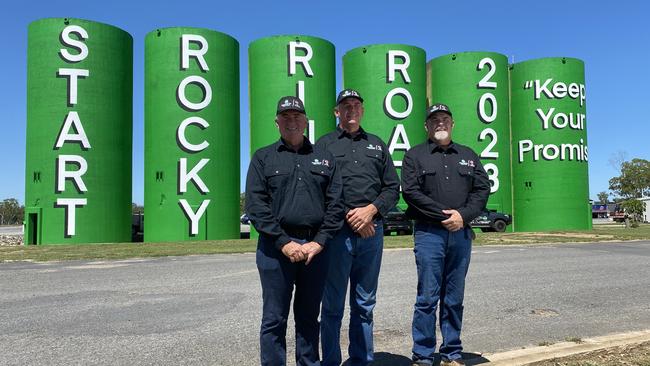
(436, 179)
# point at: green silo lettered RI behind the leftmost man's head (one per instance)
(290, 65)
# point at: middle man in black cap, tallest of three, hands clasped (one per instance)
(370, 190)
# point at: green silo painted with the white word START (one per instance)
(79, 132)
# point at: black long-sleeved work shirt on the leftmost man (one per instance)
(287, 189)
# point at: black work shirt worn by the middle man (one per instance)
(367, 169)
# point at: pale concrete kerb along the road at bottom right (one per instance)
(563, 349)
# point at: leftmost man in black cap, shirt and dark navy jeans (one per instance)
(293, 191)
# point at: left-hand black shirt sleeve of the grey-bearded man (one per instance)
(414, 195)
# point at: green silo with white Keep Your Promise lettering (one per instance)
(549, 145)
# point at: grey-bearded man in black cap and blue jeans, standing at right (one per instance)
(445, 187)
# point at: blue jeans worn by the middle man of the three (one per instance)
(357, 260)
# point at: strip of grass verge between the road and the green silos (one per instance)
(42, 253)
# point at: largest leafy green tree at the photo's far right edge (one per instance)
(634, 181)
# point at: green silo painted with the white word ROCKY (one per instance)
(191, 135)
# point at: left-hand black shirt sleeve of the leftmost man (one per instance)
(258, 204)
